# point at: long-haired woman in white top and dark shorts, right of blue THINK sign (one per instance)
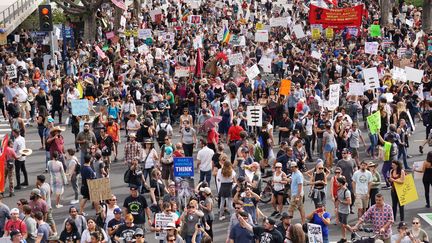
(226, 177)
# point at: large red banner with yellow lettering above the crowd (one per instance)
(338, 18)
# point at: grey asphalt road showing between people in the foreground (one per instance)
(36, 165)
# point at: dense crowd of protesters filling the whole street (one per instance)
(154, 99)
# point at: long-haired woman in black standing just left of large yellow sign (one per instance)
(397, 175)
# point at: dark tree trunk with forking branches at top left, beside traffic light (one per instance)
(86, 9)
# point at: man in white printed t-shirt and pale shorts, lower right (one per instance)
(361, 184)
